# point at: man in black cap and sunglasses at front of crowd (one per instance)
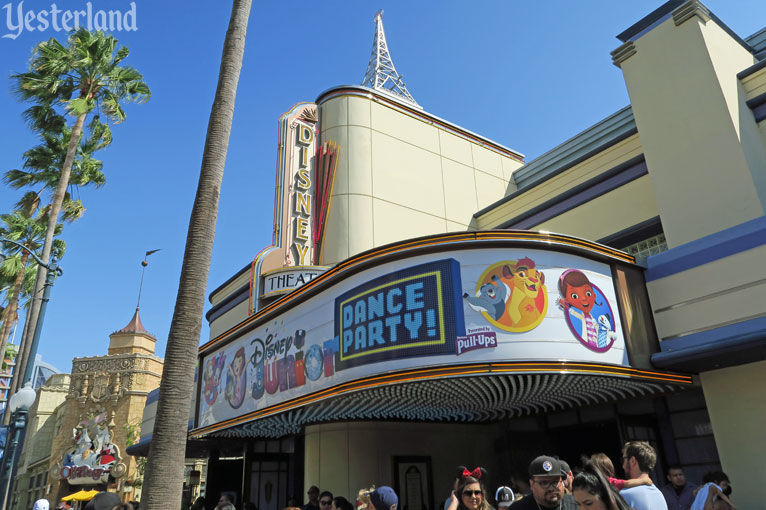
(547, 487)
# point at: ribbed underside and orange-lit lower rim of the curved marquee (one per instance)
(498, 392)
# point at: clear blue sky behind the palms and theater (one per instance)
(528, 75)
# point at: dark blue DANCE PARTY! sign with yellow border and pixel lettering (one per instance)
(412, 312)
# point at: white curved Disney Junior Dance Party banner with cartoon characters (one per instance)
(452, 307)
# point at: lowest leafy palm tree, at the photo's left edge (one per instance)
(28, 231)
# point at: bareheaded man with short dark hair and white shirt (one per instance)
(638, 458)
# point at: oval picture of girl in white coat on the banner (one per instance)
(580, 299)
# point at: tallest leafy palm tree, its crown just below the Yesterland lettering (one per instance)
(81, 77)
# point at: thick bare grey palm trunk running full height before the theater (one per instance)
(163, 482)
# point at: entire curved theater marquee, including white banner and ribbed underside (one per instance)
(473, 326)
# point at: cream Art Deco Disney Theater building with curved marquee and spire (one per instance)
(429, 299)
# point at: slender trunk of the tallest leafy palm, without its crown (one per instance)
(53, 215)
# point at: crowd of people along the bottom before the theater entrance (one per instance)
(553, 485)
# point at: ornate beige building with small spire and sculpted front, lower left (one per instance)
(82, 423)
